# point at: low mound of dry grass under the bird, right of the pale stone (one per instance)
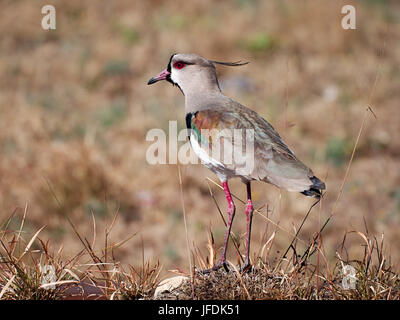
(265, 283)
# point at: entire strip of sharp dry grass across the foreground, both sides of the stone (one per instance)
(89, 275)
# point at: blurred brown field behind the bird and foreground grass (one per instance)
(75, 110)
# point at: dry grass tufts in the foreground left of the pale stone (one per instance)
(29, 270)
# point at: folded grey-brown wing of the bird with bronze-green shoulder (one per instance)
(274, 162)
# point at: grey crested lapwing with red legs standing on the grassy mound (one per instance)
(209, 109)
